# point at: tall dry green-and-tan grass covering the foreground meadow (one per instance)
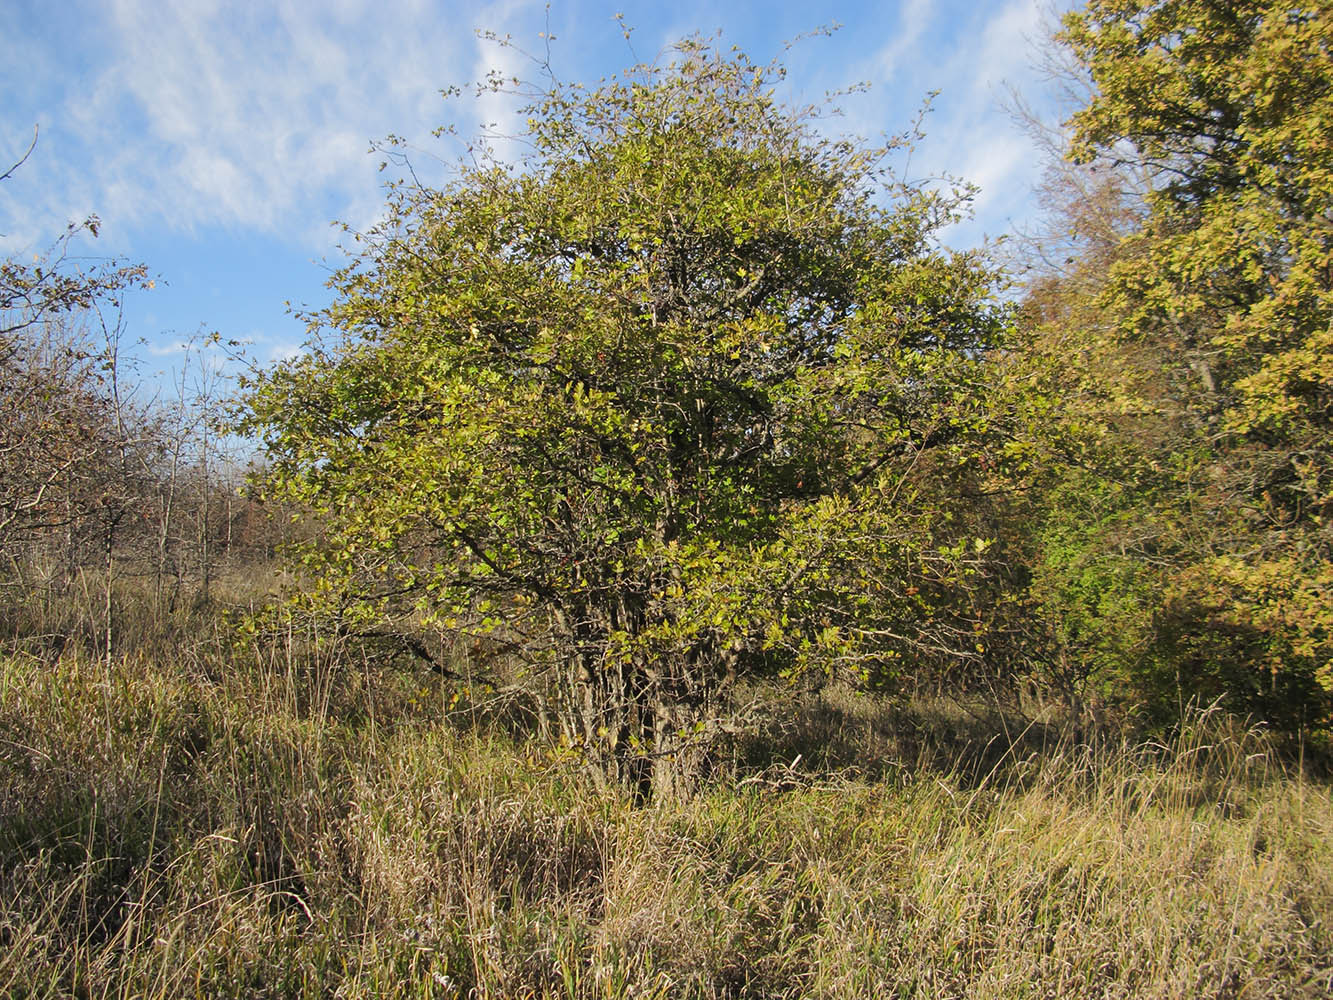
(210, 819)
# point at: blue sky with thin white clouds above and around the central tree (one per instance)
(218, 142)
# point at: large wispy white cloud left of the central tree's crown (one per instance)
(257, 117)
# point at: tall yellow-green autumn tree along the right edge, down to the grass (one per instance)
(1216, 309)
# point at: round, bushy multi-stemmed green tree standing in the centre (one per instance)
(692, 394)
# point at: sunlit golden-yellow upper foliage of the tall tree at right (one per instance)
(1226, 106)
